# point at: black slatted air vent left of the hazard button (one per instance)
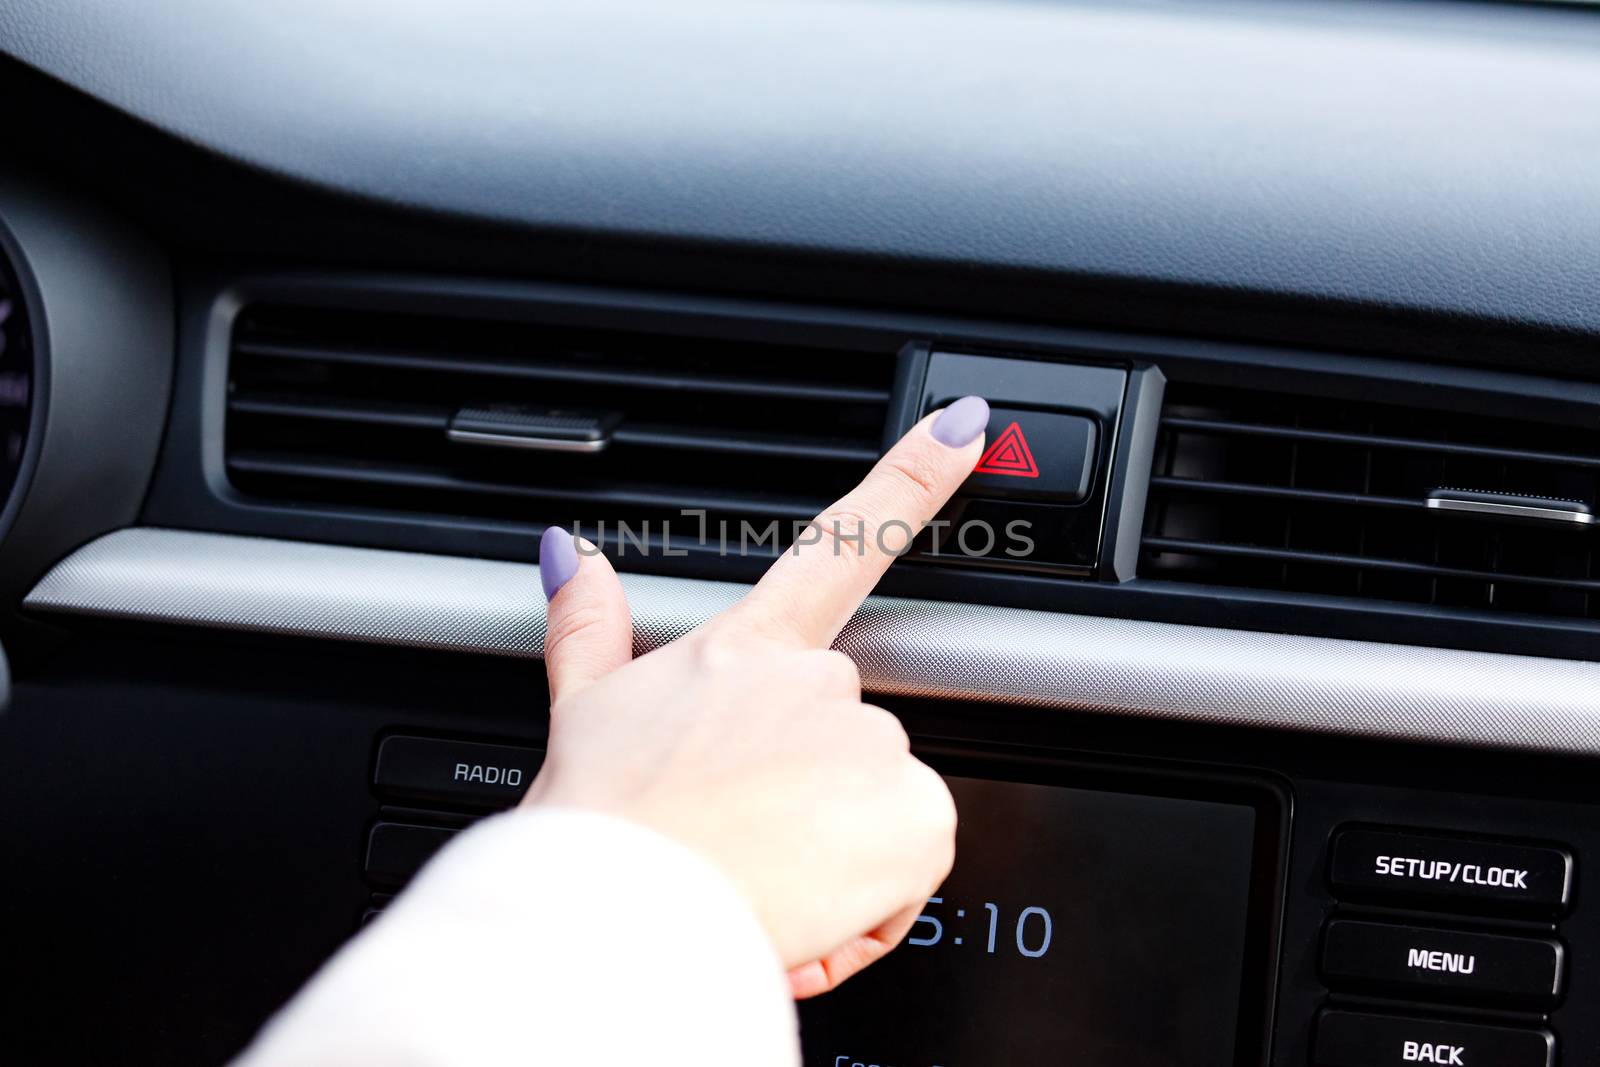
(540, 425)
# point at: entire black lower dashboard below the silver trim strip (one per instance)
(1124, 893)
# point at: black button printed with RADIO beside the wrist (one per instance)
(455, 772)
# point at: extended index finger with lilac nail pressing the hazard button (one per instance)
(814, 589)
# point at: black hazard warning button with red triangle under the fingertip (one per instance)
(1036, 457)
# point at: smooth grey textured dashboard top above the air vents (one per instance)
(1438, 158)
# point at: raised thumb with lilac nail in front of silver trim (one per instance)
(590, 633)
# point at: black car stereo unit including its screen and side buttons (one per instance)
(1124, 911)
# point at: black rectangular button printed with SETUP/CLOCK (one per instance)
(1452, 873)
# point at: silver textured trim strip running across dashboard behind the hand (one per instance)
(905, 647)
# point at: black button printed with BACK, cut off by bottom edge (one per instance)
(1354, 1039)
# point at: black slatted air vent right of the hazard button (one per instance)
(1327, 497)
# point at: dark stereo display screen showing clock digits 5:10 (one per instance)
(1079, 927)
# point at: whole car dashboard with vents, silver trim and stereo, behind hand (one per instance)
(1260, 650)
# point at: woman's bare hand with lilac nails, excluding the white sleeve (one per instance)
(748, 740)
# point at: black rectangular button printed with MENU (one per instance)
(1444, 964)
